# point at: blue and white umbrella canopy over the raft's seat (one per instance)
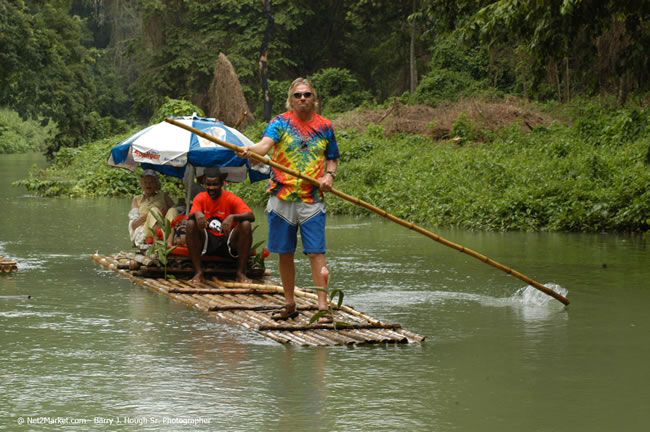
(170, 149)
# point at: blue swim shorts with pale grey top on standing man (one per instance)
(285, 217)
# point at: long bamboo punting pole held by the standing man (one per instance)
(381, 212)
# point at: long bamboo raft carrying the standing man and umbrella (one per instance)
(251, 305)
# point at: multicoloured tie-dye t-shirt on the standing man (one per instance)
(303, 146)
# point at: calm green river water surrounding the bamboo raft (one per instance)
(90, 348)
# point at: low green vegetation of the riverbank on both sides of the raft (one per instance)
(589, 173)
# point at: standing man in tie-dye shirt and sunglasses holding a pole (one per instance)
(304, 141)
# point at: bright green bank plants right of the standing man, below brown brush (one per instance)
(592, 176)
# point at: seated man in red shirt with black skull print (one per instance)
(219, 223)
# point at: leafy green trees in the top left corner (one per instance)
(48, 70)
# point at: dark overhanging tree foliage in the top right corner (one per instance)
(566, 46)
